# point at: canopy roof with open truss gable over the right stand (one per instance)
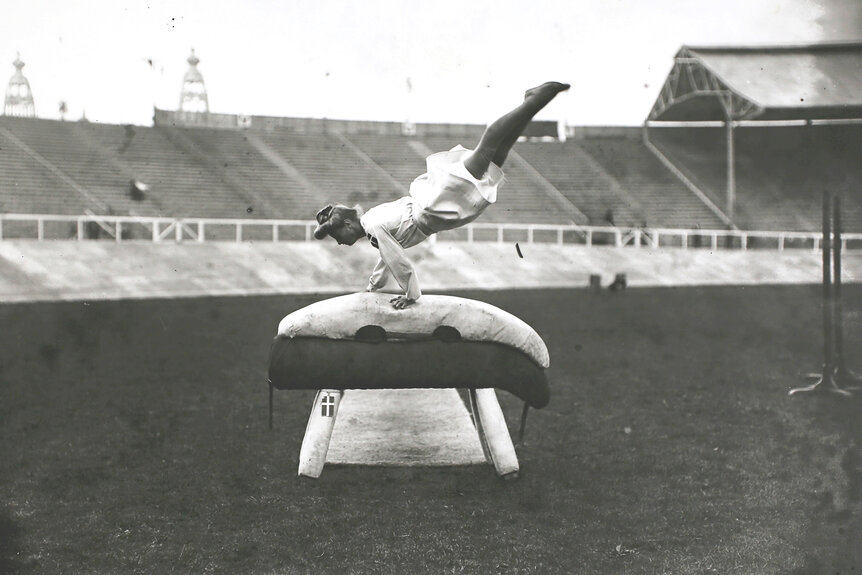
(822, 81)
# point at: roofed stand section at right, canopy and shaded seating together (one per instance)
(794, 114)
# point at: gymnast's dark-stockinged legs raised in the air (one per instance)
(501, 135)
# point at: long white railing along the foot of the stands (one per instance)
(43, 227)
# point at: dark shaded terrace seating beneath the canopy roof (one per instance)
(780, 171)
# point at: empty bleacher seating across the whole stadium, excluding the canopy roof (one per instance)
(601, 178)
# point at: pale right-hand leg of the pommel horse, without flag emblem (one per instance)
(493, 432)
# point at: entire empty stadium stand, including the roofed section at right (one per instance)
(224, 166)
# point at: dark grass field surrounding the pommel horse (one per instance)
(134, 439)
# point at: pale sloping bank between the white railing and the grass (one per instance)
(66, 270)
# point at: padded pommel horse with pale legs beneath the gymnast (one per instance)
(359, 341)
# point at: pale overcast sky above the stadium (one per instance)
(467, 61)
